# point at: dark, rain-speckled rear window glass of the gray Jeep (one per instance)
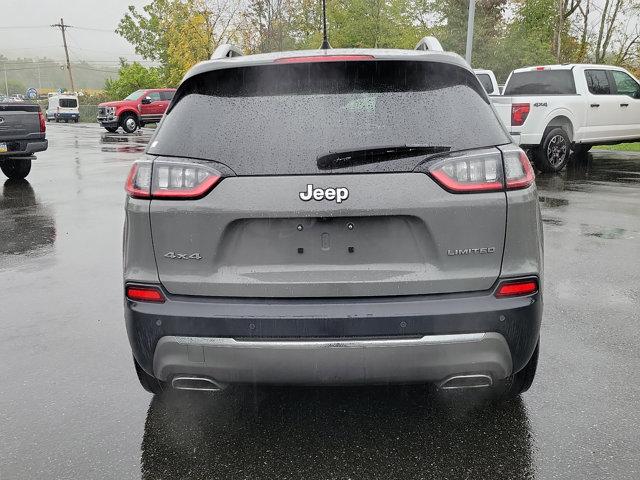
(278, 119)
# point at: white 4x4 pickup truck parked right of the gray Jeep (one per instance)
(550, 110)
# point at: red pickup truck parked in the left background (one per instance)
(138, 109)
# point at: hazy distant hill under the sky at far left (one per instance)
(45, 73)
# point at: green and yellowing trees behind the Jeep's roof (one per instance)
(508, 33)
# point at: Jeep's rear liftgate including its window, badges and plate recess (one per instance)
(286, 223)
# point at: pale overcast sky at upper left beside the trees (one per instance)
(41, 40)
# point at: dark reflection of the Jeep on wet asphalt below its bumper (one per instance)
(307, 433)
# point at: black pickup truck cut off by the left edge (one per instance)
(22, 133)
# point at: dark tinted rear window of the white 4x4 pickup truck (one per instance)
(541, 82)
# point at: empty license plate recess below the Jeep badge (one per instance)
(325, 241)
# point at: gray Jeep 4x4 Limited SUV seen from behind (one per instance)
(333, 217)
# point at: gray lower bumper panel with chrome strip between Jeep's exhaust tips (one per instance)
(344, 361)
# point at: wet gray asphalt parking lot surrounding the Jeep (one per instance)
(71, 406)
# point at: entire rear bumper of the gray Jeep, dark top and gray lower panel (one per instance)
(333, 341)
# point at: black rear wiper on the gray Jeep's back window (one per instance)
(364, 156)
